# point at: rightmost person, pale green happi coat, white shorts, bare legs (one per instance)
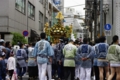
(114, 58)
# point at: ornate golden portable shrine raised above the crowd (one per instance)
(58, 30)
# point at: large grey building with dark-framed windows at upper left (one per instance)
(20, 15)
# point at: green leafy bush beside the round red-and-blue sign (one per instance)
(17, 37)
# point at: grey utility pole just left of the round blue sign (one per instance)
(101, 17)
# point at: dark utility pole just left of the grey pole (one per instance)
(95, 19)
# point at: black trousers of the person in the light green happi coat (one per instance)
(68, 71)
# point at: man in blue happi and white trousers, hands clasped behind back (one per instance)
(85, 54)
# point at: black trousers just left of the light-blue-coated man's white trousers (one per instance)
(33, 71)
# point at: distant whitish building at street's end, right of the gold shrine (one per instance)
(74, 19)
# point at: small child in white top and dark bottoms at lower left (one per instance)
(11, 65)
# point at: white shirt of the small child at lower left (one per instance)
(11, 65)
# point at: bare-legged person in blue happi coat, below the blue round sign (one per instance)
(101, 52)
